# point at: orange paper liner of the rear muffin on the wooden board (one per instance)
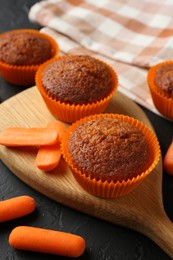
(71, 112)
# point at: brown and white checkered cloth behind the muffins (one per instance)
(130, 35)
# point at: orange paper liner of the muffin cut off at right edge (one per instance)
(163, 103)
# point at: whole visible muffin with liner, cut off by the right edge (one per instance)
(160, 81)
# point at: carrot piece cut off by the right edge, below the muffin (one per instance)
(168, 159)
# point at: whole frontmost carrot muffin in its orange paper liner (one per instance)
(108, 149)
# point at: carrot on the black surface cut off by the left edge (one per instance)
(16, 207)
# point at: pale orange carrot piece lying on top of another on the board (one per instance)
(16, 136)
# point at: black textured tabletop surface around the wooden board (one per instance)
(104, 240)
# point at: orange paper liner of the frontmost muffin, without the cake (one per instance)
(112, 189)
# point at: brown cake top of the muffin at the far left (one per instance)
(24, 48)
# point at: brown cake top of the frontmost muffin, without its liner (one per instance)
(108, 149)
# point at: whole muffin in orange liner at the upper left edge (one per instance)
(21, 52)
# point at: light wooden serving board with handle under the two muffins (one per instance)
(141, 210)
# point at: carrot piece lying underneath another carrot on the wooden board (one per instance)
(49, 156)
